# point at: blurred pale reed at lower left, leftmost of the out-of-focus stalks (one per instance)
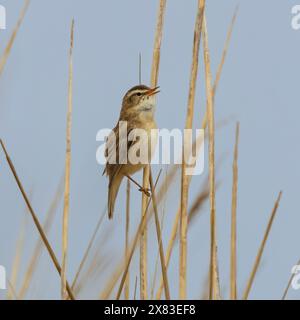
(17, 258)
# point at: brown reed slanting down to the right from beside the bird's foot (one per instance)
(159, 240)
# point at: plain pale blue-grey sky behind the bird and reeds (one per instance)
(259, 87)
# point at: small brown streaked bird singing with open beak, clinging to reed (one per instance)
(138, 108)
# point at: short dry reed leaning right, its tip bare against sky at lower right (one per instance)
(261, 248)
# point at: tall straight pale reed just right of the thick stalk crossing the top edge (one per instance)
(214, 292)
